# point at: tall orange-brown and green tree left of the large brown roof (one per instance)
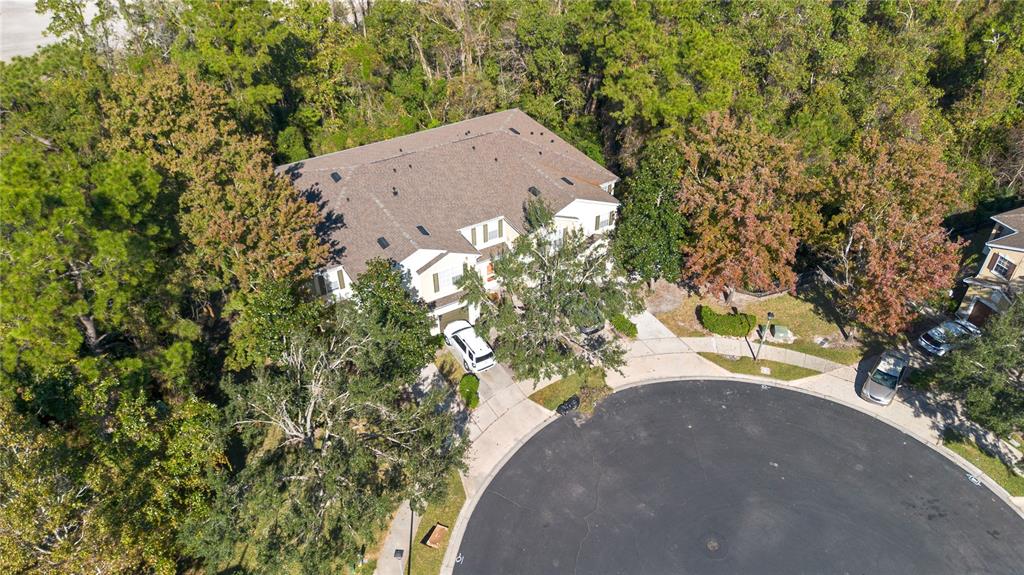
(245, 225)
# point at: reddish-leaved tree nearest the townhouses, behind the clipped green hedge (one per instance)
(749, 204)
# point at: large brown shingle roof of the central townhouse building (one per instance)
(375, 199)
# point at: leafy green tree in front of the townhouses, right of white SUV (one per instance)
(553, 283)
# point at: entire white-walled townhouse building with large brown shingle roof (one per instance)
(447, 198)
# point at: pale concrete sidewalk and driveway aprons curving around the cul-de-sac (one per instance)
(507, 419)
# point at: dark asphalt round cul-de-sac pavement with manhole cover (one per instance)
(718, 477)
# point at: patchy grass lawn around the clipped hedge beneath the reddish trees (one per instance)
(799, 316)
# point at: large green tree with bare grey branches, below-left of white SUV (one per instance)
(333, 446)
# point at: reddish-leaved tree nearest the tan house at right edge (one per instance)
(884, 245)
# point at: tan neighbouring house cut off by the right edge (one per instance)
(1002, 274)
